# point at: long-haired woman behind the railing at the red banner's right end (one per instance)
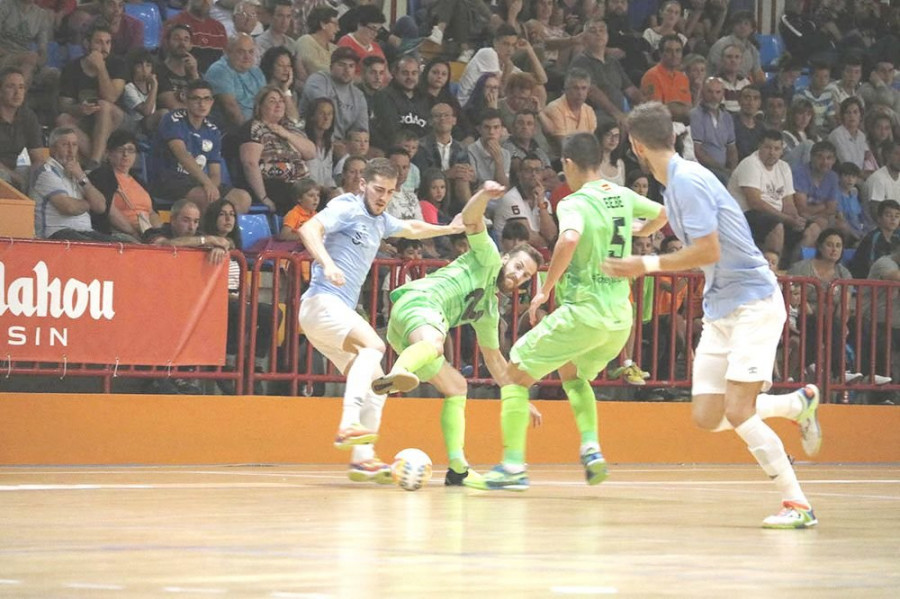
(220, 218)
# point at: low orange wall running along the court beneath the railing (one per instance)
(154, 429)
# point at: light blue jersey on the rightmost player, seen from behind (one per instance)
(697, 204)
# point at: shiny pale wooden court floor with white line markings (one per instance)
(306, 531)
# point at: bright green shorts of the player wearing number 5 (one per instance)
(562, 337)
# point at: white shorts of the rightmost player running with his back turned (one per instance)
(740, 347)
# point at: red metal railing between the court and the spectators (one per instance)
(664, 337)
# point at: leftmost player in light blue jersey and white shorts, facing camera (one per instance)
(344, 239)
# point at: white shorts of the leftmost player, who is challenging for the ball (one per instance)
(326, 321)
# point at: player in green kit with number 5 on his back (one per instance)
(593, 316)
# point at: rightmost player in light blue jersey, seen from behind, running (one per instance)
(743, 308)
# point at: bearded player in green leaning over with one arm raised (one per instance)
(464, 291)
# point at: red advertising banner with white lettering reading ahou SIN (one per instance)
(103, 304)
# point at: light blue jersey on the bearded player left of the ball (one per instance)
(352, 238)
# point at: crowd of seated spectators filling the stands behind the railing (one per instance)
(275, 106)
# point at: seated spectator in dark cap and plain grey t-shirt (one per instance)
(351, 110)
